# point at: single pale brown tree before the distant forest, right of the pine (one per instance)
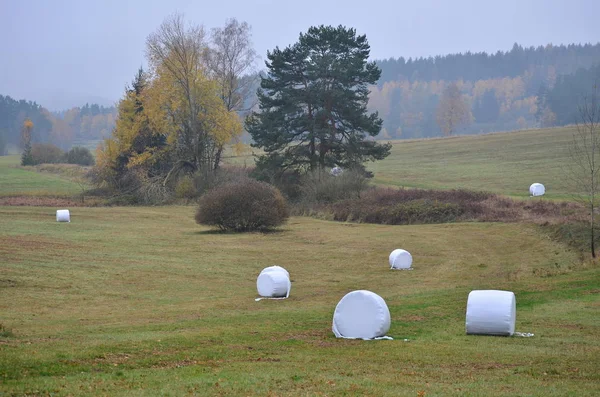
(453, 111)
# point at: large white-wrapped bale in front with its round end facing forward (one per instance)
(361, 314)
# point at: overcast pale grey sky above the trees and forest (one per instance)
(63, 53)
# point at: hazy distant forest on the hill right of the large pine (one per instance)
(498, 92)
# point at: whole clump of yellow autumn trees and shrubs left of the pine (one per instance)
(172, 121)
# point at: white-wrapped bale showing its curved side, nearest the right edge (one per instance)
(491, 312)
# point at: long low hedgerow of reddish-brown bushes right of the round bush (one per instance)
(419, 206)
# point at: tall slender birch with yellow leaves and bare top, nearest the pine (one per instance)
(185, 102)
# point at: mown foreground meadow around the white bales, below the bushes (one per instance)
(142, 301)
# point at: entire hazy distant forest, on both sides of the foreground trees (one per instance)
(517, 89)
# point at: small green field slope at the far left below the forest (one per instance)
(15, 181)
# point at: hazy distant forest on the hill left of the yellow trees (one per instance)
(90, 122)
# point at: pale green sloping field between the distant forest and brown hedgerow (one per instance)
(506, 163)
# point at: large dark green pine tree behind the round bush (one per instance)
(313, 104)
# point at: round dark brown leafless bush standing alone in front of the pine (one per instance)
(241, 206)
